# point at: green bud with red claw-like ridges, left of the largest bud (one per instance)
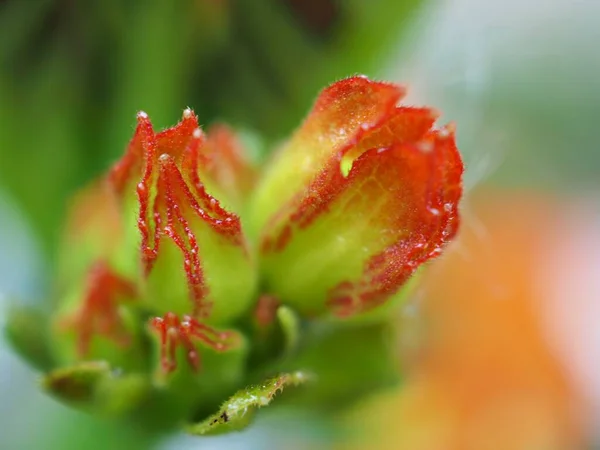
(193, 253)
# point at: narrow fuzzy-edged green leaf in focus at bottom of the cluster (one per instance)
(237, 412)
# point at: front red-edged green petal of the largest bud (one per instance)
(398, 204)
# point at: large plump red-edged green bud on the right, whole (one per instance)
(362, 195)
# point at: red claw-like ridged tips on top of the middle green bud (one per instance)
(173, 202)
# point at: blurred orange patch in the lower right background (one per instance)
(484, 375)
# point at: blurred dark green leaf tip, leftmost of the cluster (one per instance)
(26, 331)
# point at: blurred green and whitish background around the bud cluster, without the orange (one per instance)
(521, 79)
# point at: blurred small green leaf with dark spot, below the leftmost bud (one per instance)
(96, 387)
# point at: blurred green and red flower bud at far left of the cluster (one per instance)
(94, 319)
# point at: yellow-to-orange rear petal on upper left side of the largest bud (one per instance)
(342, 115)
